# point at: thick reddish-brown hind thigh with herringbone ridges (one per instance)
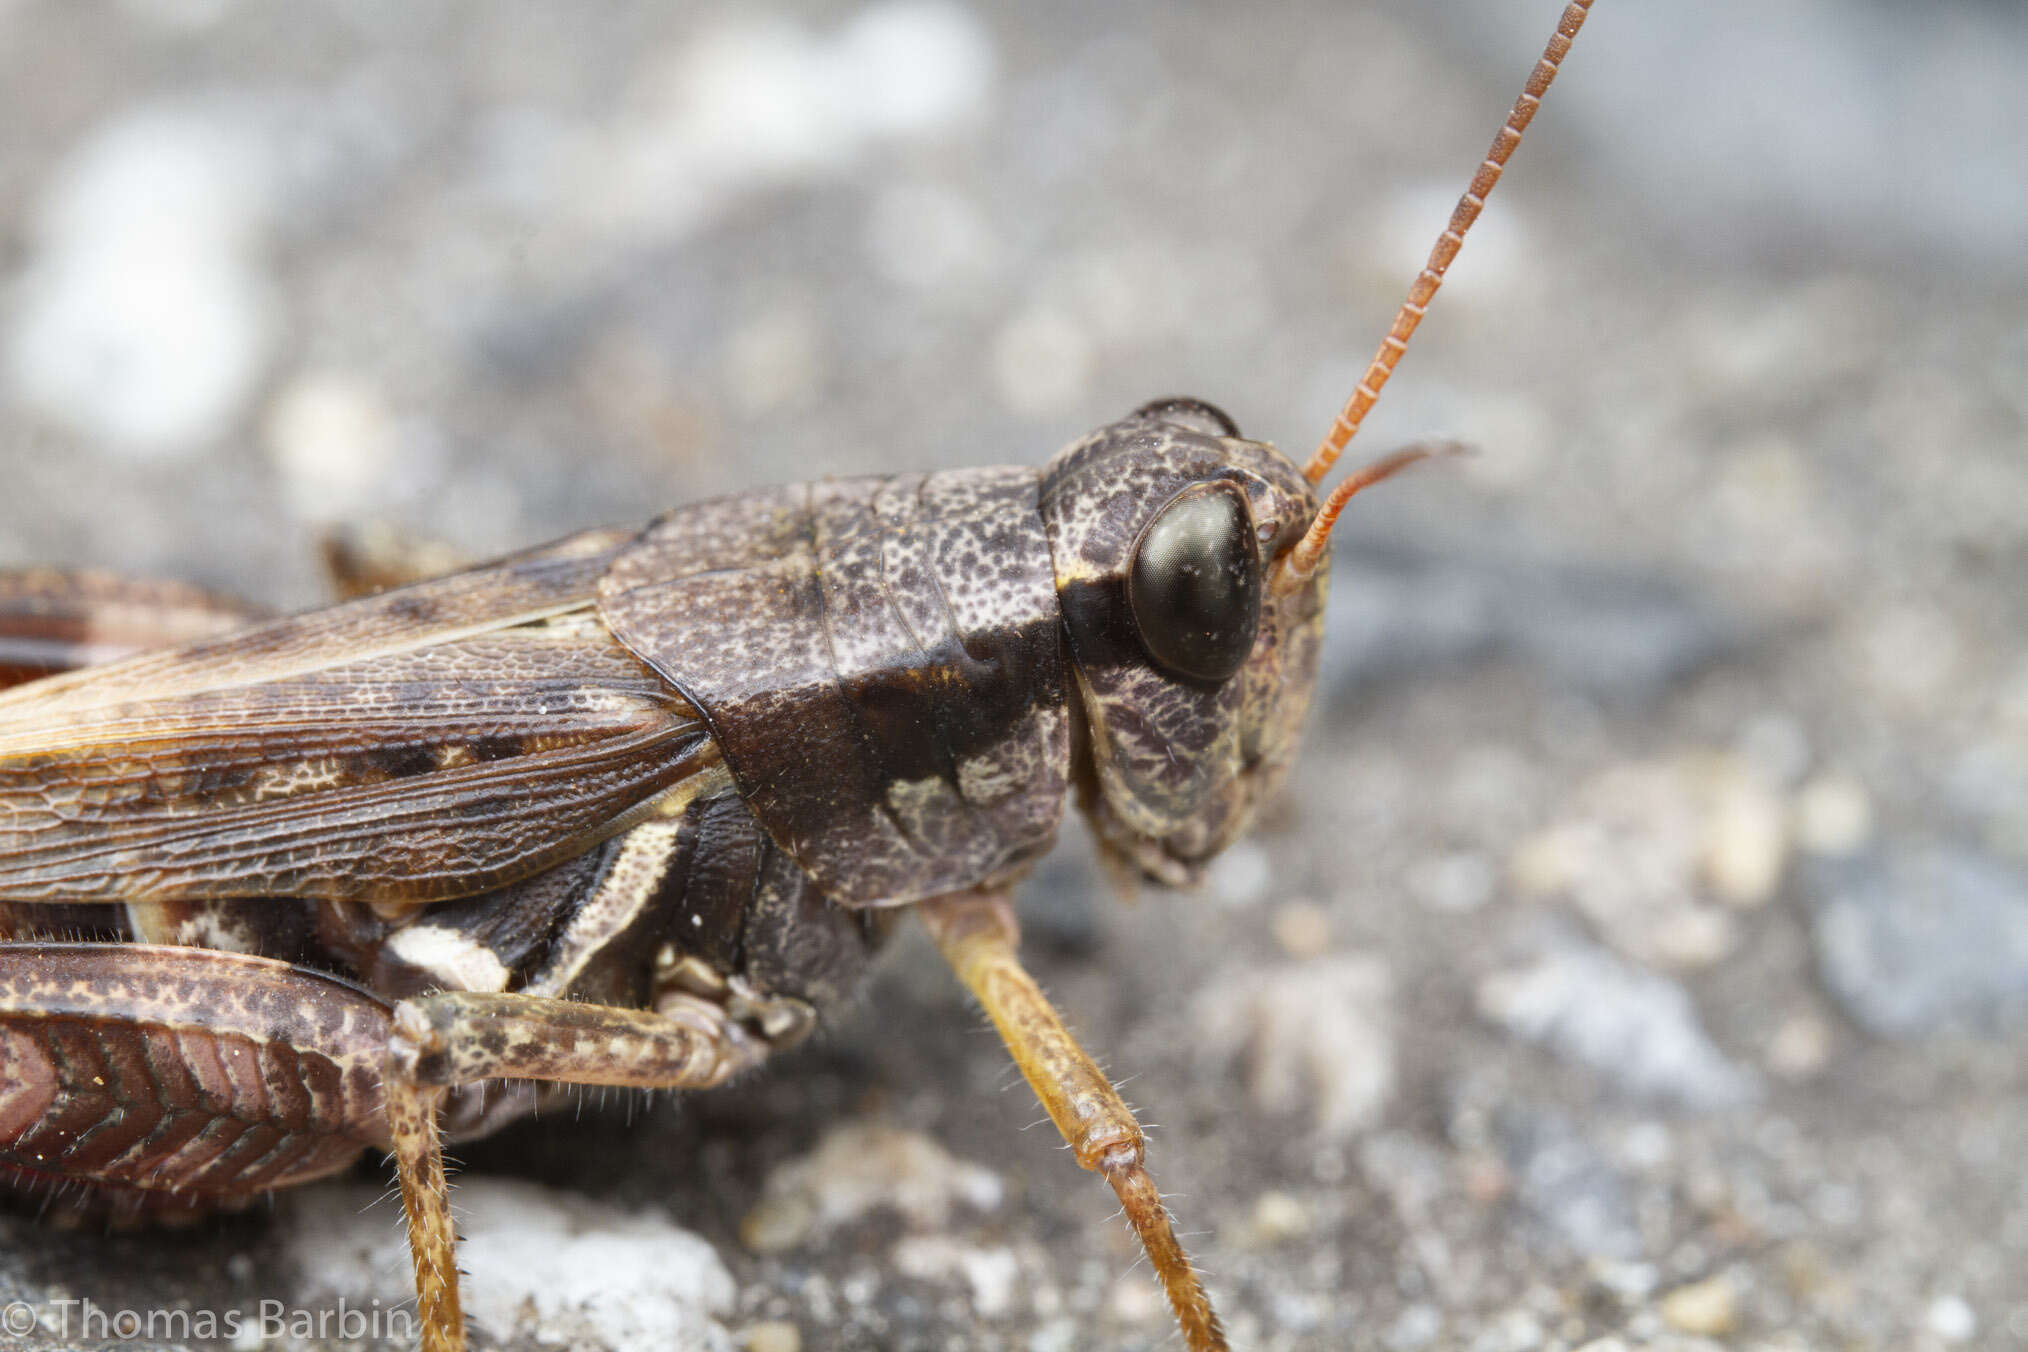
(149, 1083)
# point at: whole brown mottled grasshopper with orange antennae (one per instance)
(634, 808)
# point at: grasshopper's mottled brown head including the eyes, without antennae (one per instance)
(1193, 676)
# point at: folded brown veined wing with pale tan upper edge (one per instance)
(419, 745)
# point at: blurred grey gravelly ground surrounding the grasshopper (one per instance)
(1642, 956)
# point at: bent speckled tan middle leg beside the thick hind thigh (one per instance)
(461, 1039)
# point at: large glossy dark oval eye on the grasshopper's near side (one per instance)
(1196, 587)
